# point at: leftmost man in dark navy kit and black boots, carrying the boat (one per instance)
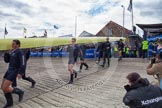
(16, 60)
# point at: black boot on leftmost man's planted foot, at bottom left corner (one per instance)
(9, 100)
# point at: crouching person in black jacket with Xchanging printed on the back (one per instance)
(141, 94)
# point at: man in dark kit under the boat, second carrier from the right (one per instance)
(106, 52)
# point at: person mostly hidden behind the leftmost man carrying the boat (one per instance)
(27, 56)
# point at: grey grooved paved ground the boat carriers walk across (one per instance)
(95, 88)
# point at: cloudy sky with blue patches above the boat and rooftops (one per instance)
(38, 15)
